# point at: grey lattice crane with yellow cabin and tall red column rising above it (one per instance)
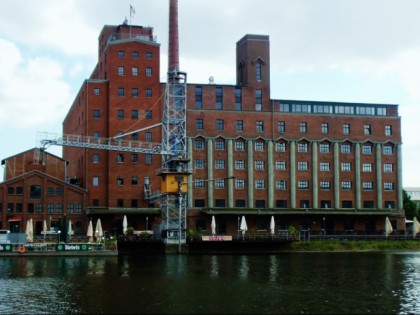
(174, 169)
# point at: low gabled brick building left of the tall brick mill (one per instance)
(35, 187)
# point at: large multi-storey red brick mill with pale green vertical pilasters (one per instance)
(320, 166)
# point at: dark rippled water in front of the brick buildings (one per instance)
(292, 283)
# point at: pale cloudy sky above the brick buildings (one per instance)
(324, 50)
